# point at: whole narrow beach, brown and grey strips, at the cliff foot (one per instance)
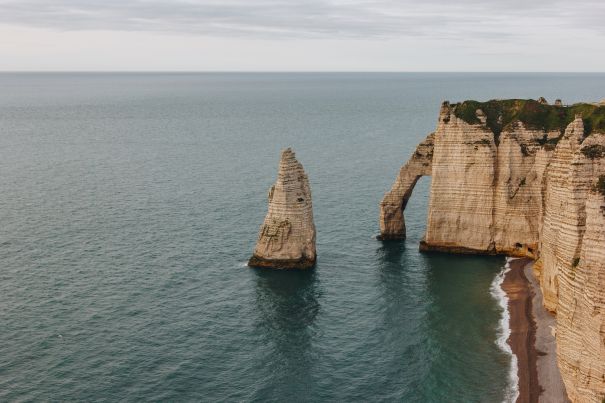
(532, 336)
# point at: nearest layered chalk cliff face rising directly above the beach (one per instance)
(573, 264)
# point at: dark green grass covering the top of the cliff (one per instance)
(534, 115)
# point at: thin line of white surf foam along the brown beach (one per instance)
(504, 332)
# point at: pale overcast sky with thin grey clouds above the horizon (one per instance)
(302, 35)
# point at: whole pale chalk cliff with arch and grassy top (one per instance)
(523, 178)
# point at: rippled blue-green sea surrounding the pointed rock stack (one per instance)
(130, 203)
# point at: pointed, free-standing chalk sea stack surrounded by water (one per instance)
(286, 239)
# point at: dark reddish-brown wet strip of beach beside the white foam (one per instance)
(522, 338)
